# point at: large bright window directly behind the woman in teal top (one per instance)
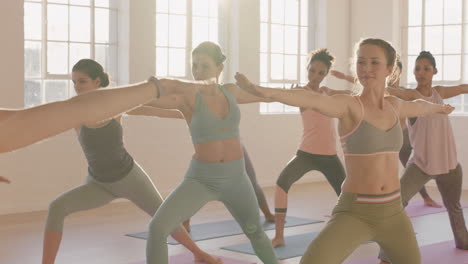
(180, 27)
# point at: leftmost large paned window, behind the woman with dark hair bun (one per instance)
(57, 34)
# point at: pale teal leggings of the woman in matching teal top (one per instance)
(226, 182)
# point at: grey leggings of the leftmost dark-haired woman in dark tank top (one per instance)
(136, 187)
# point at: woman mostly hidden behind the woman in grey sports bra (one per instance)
(406, 149)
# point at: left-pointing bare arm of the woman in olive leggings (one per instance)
(335, 106)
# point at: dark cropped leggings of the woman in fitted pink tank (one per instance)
(303, 162)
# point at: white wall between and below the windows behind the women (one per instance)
(163, 147)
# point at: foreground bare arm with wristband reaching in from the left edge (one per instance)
(20, 128)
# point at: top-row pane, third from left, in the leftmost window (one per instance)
(80, 24)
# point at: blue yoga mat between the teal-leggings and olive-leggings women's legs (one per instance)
(295, 246)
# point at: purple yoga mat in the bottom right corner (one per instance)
(443, 252)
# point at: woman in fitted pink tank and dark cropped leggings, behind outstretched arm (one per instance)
(317, 150)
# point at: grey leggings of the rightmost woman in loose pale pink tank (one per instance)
(450, 187)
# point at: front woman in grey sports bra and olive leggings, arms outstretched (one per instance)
(369, 207)
